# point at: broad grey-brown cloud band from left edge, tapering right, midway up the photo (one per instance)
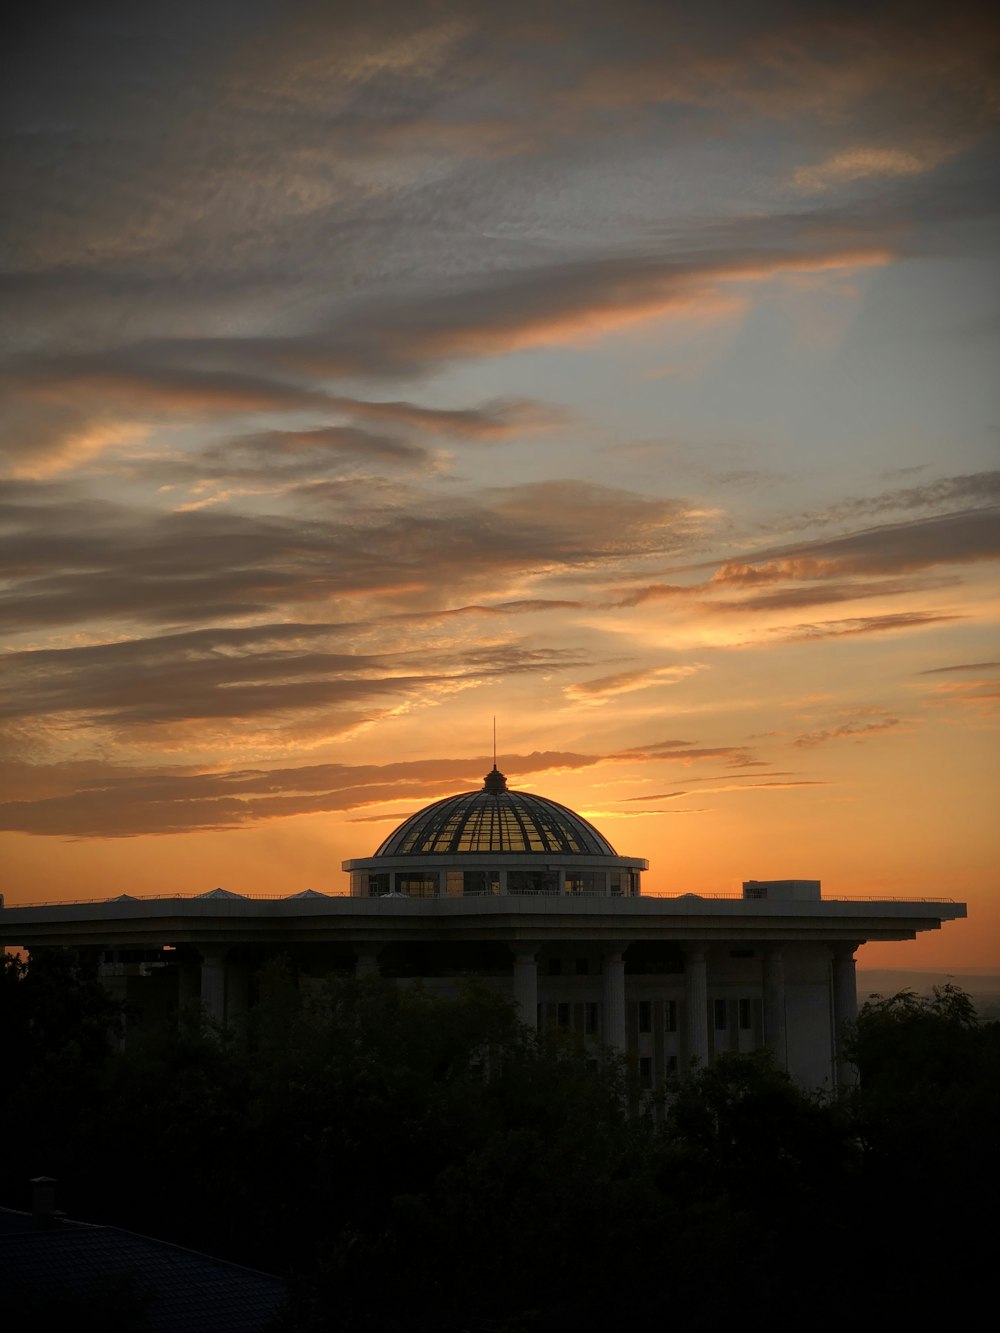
(193, 569)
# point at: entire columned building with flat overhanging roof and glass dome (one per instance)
(529, 896)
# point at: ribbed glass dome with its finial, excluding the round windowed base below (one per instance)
(497, 820)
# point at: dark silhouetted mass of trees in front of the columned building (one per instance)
(421, 1164)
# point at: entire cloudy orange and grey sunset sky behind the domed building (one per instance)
(622, 374)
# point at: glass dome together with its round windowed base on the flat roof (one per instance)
(495, 842)
